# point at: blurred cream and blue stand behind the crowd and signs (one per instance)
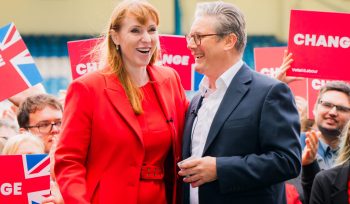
(47, 25)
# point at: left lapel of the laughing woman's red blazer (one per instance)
(118, 98)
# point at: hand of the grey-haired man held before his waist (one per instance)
(199, 171)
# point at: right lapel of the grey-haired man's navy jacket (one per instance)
(234, 94)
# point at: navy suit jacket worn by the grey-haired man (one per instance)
(254, 137)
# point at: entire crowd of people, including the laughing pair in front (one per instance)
(126, 133)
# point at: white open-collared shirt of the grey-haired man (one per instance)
(205, 115)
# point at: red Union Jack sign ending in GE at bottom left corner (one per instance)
(24, 178)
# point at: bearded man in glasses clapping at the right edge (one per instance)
(332, 112)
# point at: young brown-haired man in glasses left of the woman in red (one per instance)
(41, 115)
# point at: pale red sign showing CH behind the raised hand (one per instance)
(269, 59)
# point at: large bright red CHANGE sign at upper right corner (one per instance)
(320, 43)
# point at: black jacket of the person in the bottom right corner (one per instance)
(330, 186)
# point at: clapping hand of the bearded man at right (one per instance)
(310, 150)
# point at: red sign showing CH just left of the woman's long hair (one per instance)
(80, 58)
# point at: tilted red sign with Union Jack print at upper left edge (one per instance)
(17, 68)
